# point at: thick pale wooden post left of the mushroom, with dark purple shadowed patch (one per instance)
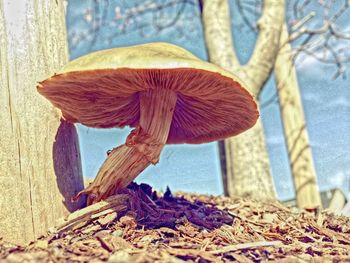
(40, 165)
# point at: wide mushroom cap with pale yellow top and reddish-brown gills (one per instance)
(101, 90)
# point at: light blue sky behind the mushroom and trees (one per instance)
(196, 168)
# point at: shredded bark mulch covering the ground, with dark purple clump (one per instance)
(140, 225)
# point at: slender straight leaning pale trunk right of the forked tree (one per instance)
(293, 119)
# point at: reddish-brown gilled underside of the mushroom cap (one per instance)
(209, 107)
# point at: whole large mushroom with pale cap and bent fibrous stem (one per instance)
(165, 92)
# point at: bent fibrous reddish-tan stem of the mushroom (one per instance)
(142, 146)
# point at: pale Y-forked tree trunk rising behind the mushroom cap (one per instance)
(247, 163)
